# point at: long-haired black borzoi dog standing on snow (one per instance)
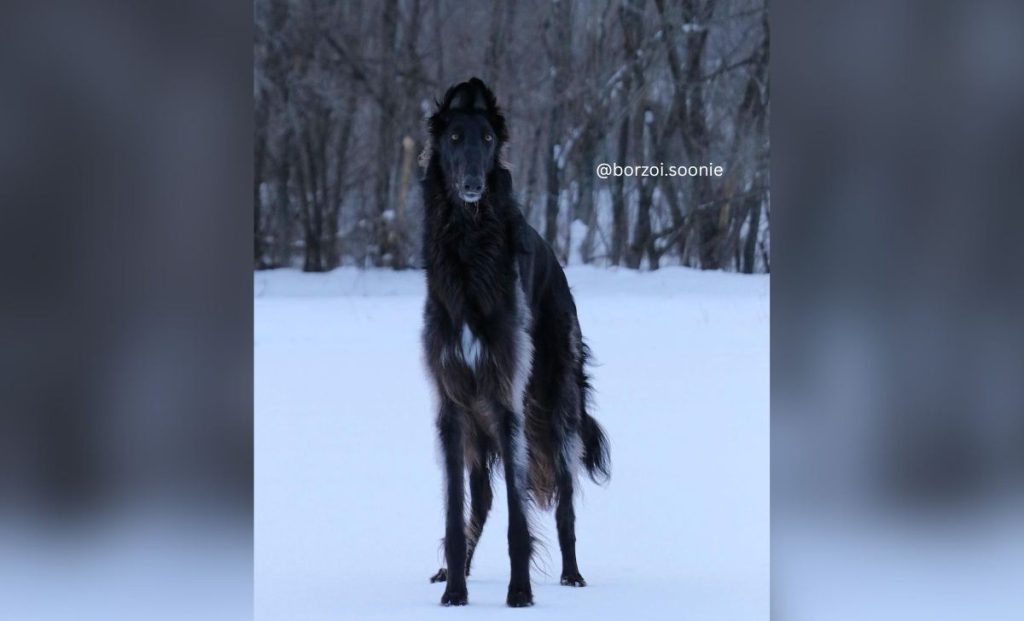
(503, 346)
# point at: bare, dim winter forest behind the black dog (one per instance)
(343, 90)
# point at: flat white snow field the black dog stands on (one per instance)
(349, 505)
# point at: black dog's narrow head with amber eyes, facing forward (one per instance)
(467, 133)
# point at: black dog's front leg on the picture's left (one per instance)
(450, 427)
